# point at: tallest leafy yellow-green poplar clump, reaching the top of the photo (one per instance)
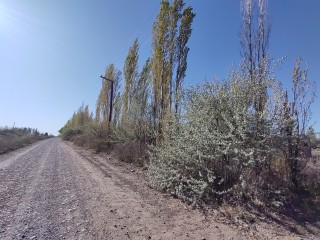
(171, 32)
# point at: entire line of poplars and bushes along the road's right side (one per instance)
(242, 138)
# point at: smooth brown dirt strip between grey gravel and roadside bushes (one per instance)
(131, 210)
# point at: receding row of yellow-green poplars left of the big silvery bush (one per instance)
(149, 98)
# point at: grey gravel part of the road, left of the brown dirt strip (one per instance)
(42, 199)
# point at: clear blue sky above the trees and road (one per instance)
(53, 52)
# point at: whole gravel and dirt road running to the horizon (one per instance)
(53, 190)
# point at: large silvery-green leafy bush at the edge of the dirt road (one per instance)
(214, 147)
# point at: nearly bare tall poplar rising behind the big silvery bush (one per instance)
(255, 43)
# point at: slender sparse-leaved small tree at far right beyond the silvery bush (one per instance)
(296, 118)
